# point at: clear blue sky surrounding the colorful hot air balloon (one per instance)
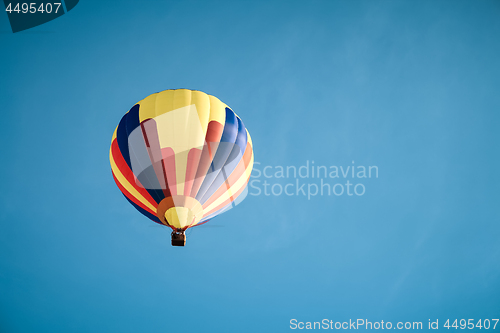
(409, 86)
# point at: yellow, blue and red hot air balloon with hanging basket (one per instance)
(181, 157)
